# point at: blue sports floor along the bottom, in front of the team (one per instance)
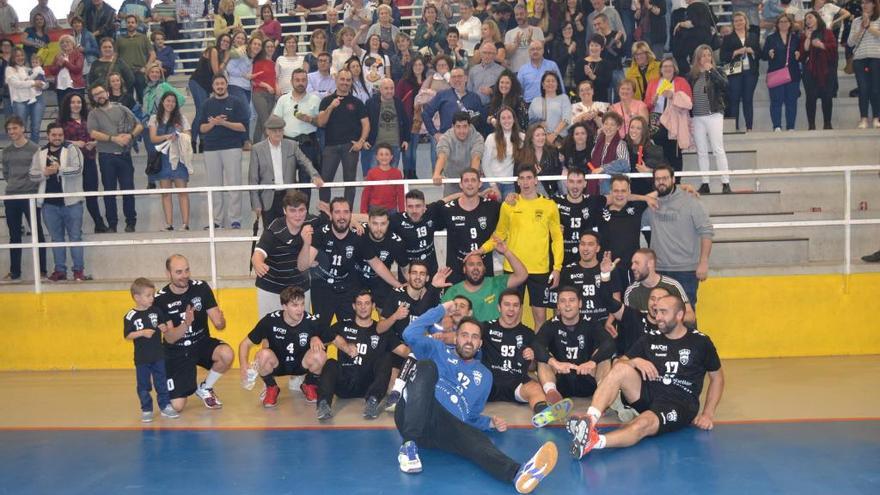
(778, 458)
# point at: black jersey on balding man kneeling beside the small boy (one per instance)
(198, 295)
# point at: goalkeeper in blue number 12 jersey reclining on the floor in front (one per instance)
(443, 402)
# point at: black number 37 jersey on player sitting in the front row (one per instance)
(585, 341)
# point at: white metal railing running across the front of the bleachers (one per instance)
(212, 240)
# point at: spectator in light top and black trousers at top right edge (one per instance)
(864, 38)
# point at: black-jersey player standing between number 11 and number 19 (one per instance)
(388, 247)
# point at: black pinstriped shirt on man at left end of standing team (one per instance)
(281, 249)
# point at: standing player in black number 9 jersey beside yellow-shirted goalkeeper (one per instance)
(470, 220)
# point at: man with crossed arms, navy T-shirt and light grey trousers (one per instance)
(223, 128)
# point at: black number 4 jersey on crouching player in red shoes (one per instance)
(289, 343)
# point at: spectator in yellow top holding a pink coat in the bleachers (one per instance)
(669, 101)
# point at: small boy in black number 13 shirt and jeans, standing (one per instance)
(144, 325)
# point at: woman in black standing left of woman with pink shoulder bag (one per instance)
(741, 48)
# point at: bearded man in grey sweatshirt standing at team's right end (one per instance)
(681, 234)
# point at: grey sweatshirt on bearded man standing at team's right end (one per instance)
(677, 227)
